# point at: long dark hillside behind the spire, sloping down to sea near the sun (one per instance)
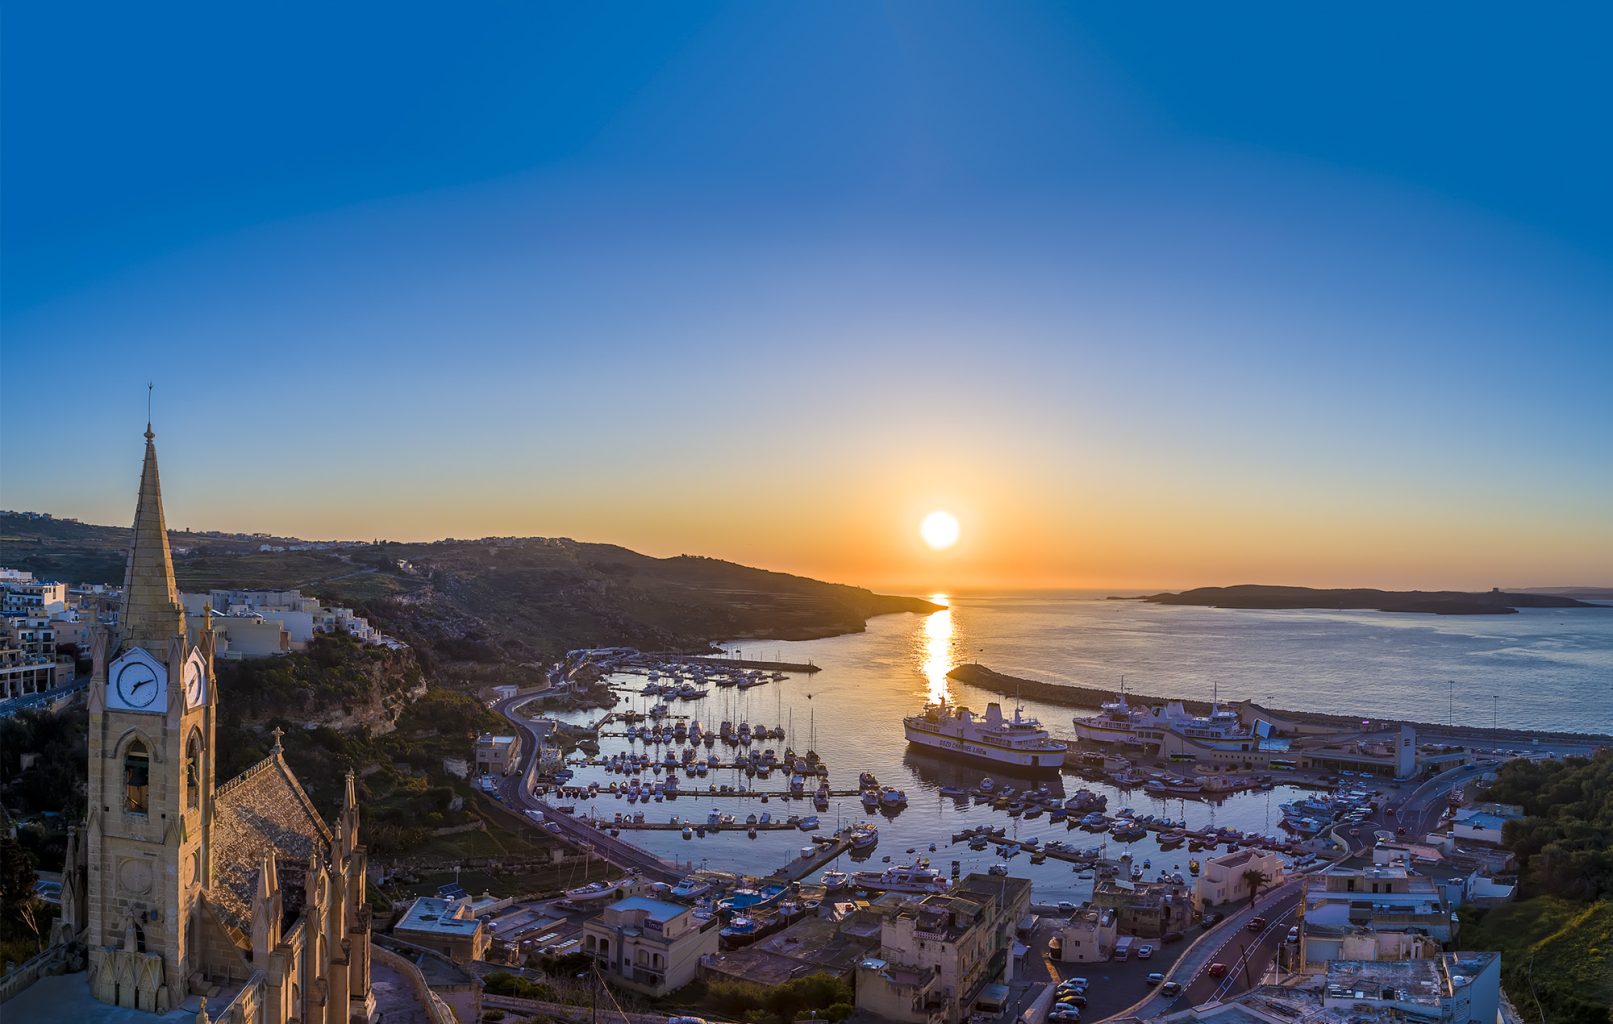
(483, 610)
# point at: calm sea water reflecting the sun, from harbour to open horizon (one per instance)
(1538, 670)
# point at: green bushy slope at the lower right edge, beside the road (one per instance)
(1557, 938)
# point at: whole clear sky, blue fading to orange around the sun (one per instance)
(1154, 298)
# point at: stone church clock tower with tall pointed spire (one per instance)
(151, 780)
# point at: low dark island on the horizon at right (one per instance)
(1432, 602)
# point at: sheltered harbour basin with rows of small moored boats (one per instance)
(1057, 828)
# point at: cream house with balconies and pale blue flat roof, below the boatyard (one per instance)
(649, 946)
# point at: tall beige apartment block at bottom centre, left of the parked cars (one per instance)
(936, 954)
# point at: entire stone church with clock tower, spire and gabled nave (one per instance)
(240, 894)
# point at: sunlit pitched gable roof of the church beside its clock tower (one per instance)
(262, 809)
